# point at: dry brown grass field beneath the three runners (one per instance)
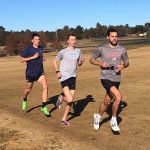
(31, 130)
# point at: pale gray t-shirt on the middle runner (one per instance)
(69, 59)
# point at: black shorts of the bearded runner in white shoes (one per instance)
(107, 84)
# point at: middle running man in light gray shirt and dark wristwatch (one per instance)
(66, 72)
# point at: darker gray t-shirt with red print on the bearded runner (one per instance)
(113, 57)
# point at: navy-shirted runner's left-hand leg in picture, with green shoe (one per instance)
(27, 90)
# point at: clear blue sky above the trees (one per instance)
(50, 15)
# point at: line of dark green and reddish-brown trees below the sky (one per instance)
(15, 41)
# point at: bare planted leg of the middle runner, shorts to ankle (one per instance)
(69, 99)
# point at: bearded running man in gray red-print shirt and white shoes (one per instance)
(114, 59)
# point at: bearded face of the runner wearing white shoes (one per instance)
(113, 38)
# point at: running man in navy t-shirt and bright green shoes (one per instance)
(33, 56)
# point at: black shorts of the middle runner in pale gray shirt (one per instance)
(71, 83)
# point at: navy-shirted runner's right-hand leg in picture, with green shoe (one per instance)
(42, 80)
